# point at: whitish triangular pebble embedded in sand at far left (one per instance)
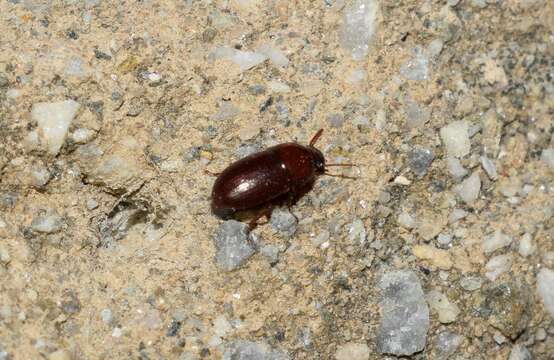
(53, 120)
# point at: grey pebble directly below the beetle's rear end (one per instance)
(232, 244)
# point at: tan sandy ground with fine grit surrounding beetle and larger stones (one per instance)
(128, 271)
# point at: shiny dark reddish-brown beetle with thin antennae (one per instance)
(253, 186)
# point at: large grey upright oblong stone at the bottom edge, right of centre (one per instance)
(404, 314)
